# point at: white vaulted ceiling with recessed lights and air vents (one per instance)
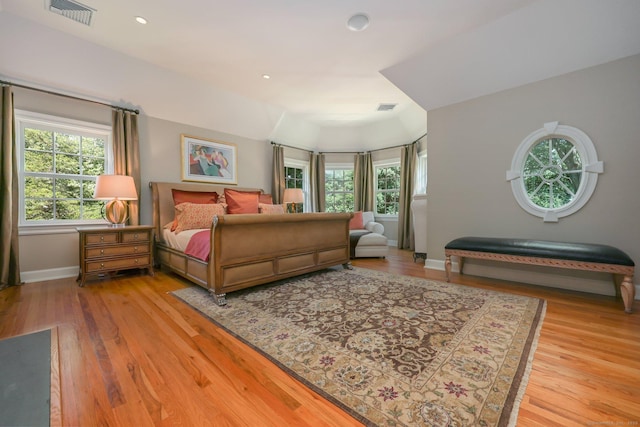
(324, 76)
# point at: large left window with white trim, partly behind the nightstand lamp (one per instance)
(59, 160)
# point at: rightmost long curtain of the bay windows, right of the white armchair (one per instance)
(408, 159)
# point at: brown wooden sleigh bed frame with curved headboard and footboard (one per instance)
(250, 249)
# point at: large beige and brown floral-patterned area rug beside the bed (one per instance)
(391, 350)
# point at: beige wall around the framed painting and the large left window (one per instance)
(47, 255)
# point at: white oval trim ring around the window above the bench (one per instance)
(591, 167)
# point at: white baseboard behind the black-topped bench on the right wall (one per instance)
(583, 281)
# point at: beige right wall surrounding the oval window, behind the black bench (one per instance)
(471, 145)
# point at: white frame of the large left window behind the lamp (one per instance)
(56, 123)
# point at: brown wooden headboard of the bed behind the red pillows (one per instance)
(162, 199)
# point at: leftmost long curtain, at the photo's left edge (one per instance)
(9, 263)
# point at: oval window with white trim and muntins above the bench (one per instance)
(554, 171)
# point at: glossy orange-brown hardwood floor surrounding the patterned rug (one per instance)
(132, 355)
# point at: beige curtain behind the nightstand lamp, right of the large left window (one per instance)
(126, 154)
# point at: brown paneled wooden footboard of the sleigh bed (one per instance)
(249, 250)
